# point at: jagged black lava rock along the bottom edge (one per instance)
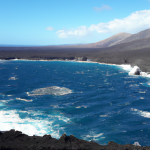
(16, 140)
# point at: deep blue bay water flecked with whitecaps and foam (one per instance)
(88, 100)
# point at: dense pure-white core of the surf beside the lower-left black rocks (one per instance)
(11, 120)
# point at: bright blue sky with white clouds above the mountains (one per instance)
(59, 22)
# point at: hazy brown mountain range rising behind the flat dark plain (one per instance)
(121, 41)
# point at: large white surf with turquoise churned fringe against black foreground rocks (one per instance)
(11, 120)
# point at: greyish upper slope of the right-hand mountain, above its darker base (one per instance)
(140, 35)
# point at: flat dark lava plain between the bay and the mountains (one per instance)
(140, 57)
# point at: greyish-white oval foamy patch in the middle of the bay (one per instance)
(53, 90)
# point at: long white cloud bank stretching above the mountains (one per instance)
(135, 22)
